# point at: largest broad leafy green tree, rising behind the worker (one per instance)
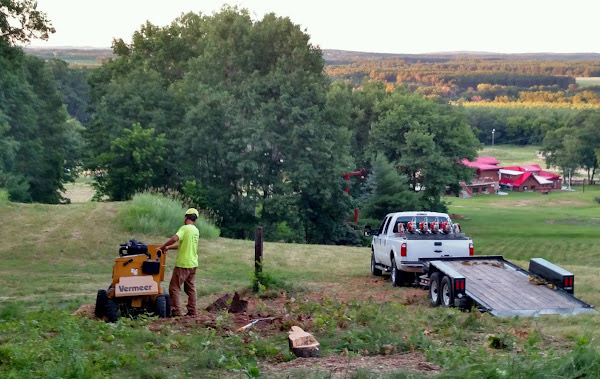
(245, 110)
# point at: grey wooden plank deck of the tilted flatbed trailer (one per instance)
(506, 290)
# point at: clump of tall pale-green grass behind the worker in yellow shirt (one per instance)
(159, 215)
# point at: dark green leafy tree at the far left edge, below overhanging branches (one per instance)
(35, 124)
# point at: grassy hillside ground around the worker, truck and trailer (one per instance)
(55, 257)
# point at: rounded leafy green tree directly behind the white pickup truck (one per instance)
(427, 140)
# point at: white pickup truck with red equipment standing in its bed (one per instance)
(405, 237)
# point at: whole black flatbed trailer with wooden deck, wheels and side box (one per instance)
(495, 285)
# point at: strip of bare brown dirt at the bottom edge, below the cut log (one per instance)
(340, 366)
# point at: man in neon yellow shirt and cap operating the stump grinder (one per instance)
(185, 264)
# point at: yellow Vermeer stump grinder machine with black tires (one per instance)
(135, 287)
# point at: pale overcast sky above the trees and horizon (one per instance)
(394, 26)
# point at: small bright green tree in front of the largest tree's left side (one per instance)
(135, 163)
